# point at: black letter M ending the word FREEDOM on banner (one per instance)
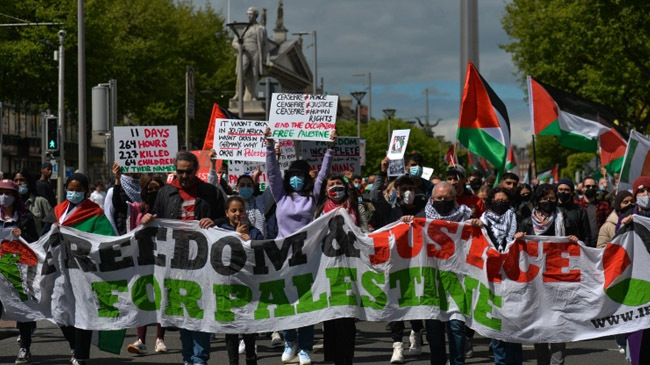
(278, 256)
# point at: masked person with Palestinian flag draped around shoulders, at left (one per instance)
(80, 213)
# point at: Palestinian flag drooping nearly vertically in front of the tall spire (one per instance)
(483, 126)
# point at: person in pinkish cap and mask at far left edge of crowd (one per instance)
(14, 216)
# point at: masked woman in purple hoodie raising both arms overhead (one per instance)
(296, 196)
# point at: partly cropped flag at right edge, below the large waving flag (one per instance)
(636, 161)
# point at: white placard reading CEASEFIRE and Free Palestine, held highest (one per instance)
(303, 116)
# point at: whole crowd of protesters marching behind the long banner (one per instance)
(590, 211)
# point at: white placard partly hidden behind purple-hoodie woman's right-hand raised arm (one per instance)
(347, 154)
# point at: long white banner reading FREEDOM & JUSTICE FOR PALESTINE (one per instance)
(177, 274)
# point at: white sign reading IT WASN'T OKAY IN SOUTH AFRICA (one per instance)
(240, 140)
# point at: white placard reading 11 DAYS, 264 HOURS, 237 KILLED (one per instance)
(146, 149)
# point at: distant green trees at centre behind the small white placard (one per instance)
(376, 135)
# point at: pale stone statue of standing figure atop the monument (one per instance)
(254, 55)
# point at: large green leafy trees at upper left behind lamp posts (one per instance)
(145, 45)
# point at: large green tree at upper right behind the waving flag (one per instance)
(598, 49)
